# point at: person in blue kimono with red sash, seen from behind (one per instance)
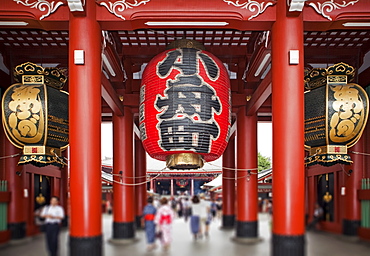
(148, 215)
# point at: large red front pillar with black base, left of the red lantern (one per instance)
(85, 146)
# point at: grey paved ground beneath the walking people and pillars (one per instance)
(218, 244)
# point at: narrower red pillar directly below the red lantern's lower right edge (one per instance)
(228, 185)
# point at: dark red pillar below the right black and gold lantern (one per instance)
(352, 212)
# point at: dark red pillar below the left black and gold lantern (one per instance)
(17, 205)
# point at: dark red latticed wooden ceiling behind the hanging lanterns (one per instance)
(135, 48)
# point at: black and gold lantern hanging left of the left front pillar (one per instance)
(35, 114)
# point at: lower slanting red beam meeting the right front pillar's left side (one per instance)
(261, 94)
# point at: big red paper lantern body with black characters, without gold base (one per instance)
(185, 104)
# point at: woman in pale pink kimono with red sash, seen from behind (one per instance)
(163, 219)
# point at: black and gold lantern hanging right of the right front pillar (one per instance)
(336, 113)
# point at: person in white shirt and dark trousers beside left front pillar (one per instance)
(53, 215)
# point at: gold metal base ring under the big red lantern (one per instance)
(184, 161)
